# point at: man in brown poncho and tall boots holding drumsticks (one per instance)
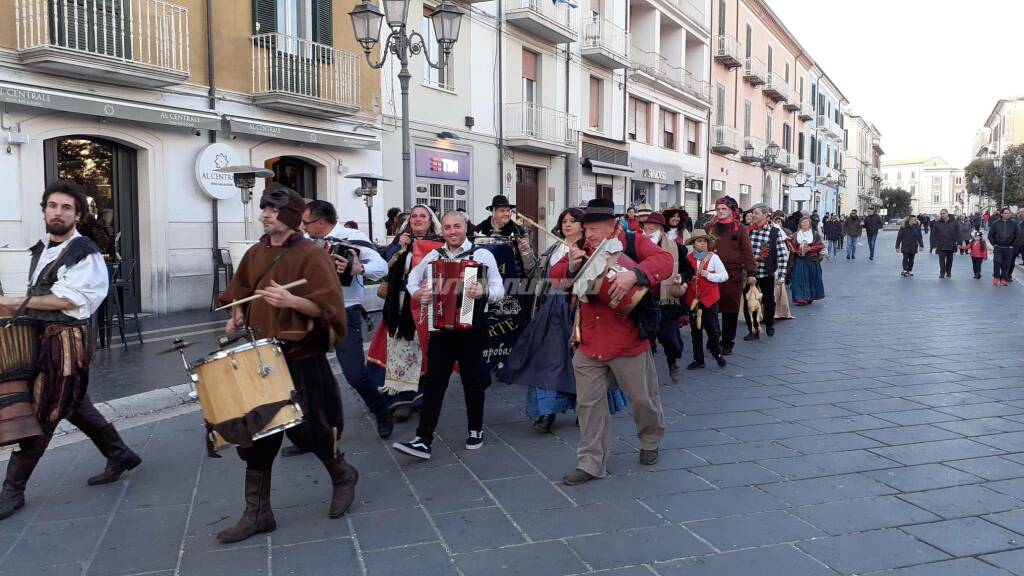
(307, 320)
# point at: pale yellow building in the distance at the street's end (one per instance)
(933, 185)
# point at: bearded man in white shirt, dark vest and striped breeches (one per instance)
(69, 282)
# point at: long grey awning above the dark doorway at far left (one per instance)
(107, 108)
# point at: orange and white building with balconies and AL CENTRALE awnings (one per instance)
(142, 101)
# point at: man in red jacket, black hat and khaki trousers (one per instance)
(611, 345)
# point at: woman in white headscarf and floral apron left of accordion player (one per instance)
(397, 359)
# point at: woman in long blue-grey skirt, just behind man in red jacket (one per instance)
(542, 357)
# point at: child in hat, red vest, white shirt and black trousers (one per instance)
(702, 298)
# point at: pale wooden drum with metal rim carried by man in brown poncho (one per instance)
(245, 384)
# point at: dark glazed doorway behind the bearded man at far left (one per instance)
(109, 175)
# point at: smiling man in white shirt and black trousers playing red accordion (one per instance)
(449, 347)
